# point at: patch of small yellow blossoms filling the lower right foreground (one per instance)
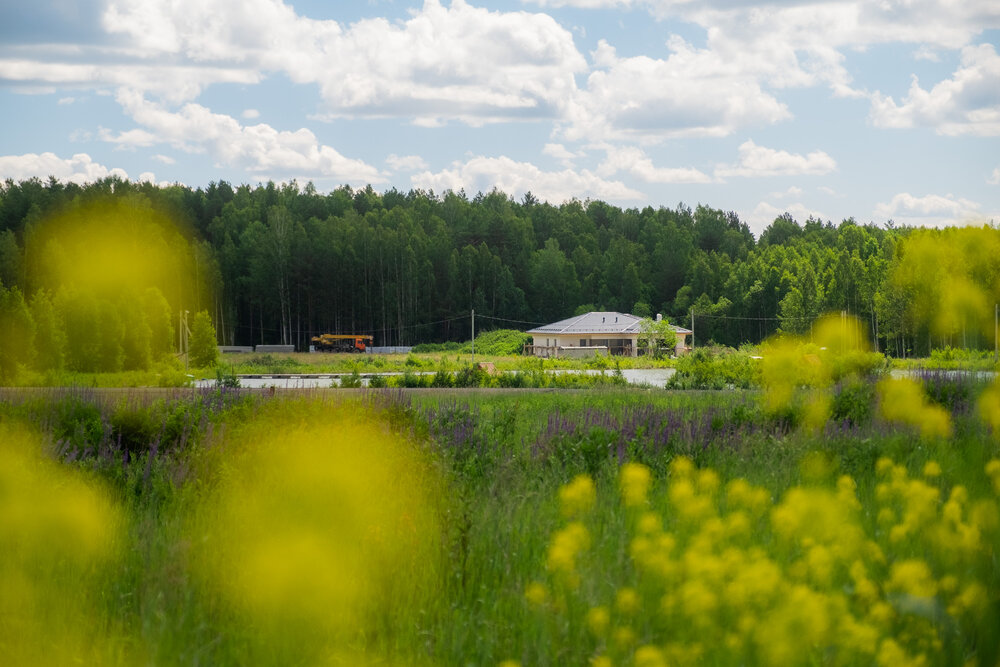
(694, 569)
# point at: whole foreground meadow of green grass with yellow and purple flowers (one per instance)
(616, 526)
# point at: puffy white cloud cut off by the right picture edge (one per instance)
(967, 103)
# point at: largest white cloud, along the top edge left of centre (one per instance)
(455, 62)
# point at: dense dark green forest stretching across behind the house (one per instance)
(282, 263)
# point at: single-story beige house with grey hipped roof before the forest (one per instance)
(597, 333)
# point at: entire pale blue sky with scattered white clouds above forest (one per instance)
(878, 109)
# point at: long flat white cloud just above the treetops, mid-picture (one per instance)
(482, 174)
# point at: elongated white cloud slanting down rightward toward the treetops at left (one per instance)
(259, 149)
